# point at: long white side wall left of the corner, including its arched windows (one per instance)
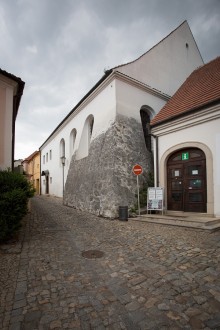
(90, 119)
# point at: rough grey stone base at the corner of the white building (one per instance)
(103, 181)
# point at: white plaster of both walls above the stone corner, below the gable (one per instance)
(89, 120)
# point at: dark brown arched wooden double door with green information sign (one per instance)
(186, 181)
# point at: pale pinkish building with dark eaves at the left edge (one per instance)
(11, 90)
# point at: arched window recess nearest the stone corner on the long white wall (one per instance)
(85, 140)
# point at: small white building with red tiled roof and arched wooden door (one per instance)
(187, 132)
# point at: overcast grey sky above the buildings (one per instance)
(60, 48)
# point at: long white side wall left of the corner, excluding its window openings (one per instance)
(102, 107)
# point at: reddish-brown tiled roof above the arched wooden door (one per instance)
(201, 88)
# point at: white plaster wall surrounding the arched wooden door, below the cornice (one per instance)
(205, 136)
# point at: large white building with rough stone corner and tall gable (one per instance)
(88, 159)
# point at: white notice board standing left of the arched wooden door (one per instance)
(155, 198)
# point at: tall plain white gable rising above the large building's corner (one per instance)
(166, 65)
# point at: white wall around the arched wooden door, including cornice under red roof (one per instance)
(199, 131)
